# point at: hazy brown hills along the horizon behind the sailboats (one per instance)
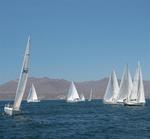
(48, 88)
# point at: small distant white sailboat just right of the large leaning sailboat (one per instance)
(32, 96)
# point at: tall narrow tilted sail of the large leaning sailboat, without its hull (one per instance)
(23, 78)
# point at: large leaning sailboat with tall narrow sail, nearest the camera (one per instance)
(12, 109)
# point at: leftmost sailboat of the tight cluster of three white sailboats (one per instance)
(112, 90)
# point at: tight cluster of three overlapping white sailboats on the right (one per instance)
(130, 93)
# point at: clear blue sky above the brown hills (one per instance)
(74, 39)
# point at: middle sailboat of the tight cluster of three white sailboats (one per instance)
(125, 86)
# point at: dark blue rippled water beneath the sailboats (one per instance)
(84, 120)
